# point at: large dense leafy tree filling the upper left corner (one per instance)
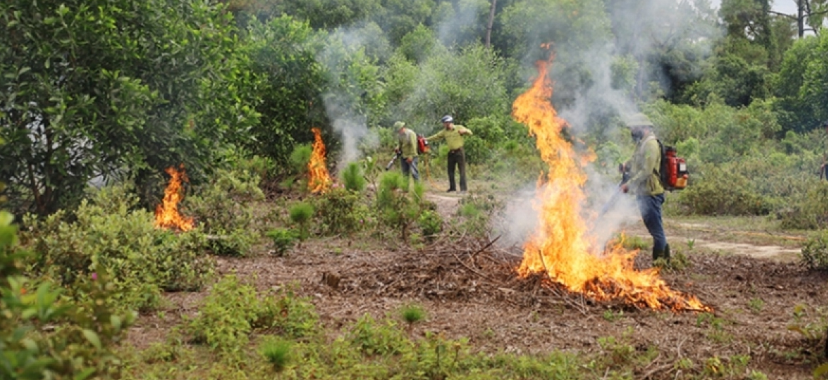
(101, 88)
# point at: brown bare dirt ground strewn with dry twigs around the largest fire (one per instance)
(470, 289)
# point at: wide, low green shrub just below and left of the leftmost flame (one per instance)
(107, 233)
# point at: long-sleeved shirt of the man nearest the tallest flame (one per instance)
(645, 167)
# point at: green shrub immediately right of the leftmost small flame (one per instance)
(224, 208)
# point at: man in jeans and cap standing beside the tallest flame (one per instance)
(645, 181)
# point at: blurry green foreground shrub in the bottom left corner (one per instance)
(81, 348)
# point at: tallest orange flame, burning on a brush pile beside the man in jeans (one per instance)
(561, 245)
